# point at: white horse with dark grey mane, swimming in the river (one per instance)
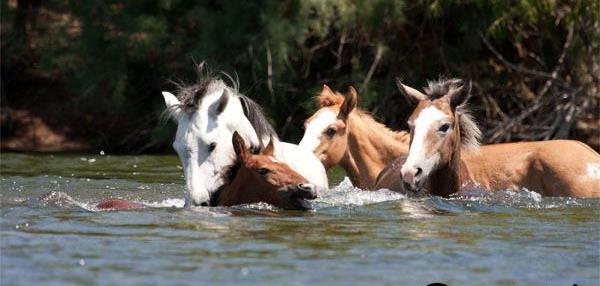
(207, 114)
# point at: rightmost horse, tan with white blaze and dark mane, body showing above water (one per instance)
(445, 156)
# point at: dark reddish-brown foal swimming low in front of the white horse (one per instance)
(253, 178)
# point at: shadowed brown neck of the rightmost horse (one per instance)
(449, 176)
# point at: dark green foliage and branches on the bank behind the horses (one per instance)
(115, 57)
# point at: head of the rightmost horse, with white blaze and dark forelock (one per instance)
(440, 127)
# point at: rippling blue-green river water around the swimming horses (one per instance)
(52, 235)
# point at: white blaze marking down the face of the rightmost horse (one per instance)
(418, 156)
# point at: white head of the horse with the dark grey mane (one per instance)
(207, 114)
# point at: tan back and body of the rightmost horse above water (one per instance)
(551, 168)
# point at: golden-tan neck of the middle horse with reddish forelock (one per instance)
(370, 147)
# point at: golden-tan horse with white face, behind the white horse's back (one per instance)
(340, 133)
